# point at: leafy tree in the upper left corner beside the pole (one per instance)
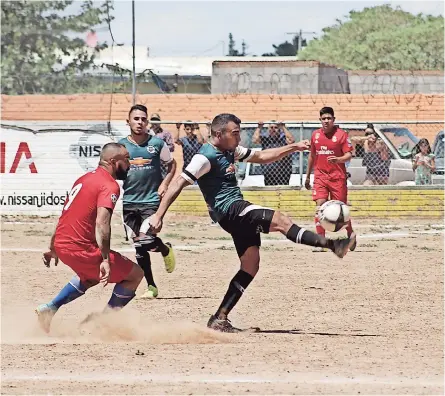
(39, 52)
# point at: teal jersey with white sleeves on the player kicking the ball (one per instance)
(216, 174)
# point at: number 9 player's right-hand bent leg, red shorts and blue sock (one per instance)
(127, 275)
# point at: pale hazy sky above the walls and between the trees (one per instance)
(201, 28)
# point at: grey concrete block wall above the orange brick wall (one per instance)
(298, 77)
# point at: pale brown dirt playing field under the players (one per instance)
(371, 323)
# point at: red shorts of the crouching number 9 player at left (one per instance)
(86, 263)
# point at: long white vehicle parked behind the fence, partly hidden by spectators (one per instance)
(399, 140)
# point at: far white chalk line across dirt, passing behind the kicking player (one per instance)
(264, 242)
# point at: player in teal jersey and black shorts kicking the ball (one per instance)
(213, 167)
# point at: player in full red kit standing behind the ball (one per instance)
(330, 150)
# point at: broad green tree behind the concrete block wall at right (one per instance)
(381, 38)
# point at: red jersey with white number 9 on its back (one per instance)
(77, 224)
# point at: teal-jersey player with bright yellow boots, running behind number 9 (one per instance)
(143, 191)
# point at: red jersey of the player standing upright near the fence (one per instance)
(336, 144)
